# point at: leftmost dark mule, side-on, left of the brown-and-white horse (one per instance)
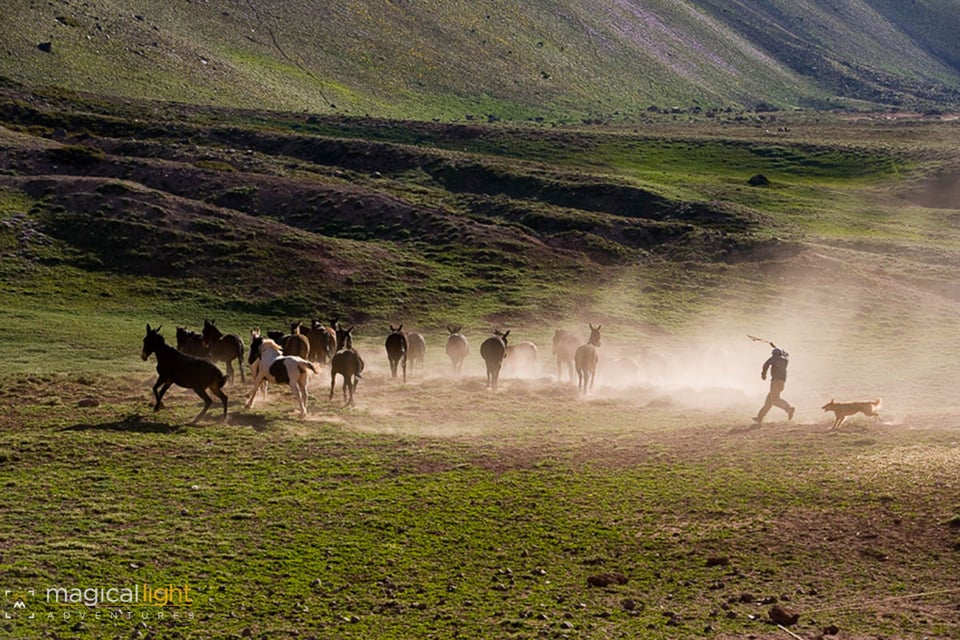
(174, 367)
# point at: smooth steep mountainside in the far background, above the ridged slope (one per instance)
(558, 62)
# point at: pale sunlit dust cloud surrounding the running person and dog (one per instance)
(854, 327)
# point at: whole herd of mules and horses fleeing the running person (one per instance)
(289, 358)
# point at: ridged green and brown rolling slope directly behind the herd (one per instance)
(130, 212)
